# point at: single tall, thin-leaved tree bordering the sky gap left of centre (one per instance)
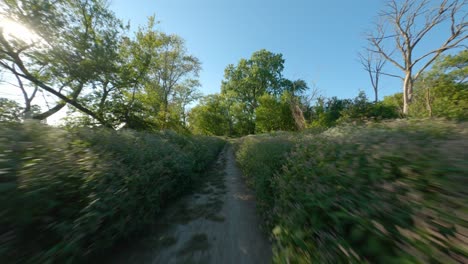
(164, 75)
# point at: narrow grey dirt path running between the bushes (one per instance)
(215, 224)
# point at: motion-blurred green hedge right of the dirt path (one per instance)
(382, 193)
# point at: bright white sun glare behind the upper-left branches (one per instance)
(15, 31)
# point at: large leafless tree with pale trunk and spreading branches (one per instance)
(411, 21)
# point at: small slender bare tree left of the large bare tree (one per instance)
(373, 64)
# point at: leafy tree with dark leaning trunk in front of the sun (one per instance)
(68, 49)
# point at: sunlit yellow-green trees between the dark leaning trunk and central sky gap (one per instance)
(150, 82)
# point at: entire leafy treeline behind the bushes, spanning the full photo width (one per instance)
(83, 56)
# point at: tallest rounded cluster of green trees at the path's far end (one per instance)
(254, 98)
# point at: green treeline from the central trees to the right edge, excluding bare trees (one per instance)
(256, 98)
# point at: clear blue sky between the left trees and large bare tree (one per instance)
(318, 39)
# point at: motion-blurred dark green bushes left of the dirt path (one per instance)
(66, 195)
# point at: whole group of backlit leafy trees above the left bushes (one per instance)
(81, 55)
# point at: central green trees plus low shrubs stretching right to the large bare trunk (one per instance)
(256, 98)
